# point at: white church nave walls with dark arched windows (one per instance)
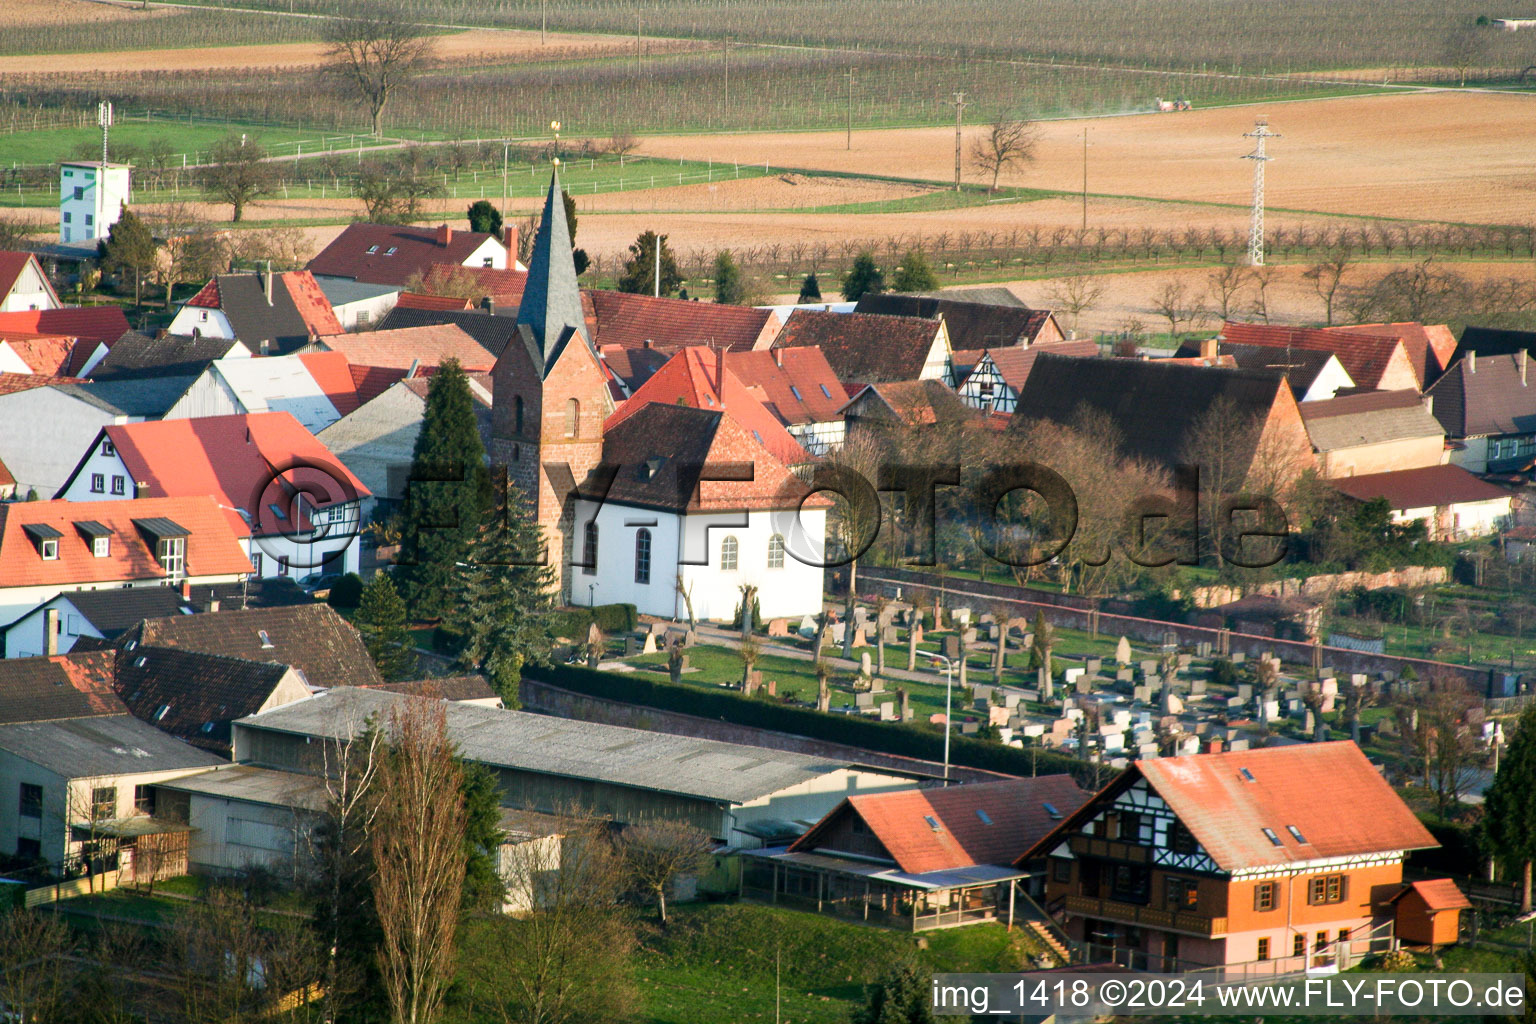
(789, 583)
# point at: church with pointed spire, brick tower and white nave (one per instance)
(664, 507)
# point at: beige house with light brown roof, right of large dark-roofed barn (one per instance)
(1374, 432)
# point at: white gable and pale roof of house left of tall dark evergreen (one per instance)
(274, 385)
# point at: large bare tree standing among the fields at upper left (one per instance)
(377, 50)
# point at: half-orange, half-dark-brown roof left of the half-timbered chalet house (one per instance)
(1016, 821)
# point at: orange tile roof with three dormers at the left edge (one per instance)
(213, 546)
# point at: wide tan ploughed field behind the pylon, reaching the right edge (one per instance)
(1429, 156)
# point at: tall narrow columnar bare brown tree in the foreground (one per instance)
(419, 860)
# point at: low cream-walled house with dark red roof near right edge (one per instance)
(1454, 504)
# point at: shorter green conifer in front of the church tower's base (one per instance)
(503, 600)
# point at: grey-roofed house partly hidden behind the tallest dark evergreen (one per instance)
(377, 440)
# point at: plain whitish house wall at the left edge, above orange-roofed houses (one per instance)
(42, 434)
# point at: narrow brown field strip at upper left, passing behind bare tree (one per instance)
(462, 48)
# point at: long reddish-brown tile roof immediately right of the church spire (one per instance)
(664, 323)
